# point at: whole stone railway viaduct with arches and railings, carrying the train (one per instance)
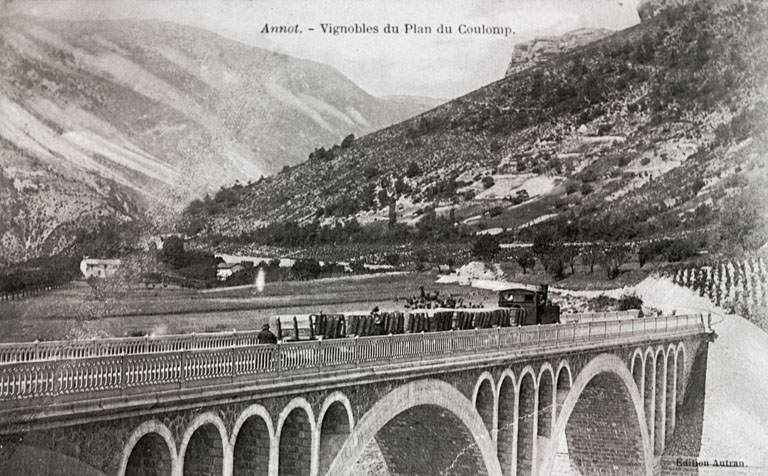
(601, 398)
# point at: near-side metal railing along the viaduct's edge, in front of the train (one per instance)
(149, 371)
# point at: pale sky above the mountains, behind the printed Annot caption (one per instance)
(434, 65)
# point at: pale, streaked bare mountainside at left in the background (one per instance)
(136, 118)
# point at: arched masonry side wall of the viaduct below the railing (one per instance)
(494, 418)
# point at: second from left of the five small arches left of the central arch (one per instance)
(205, 433)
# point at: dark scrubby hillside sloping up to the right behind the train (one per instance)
(660, 126)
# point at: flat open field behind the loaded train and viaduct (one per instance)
(73, 313)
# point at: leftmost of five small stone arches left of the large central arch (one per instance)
(157, 432)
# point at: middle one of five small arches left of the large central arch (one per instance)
(251, 441)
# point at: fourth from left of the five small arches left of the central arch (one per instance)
(295, 452)
